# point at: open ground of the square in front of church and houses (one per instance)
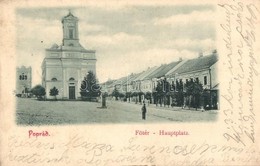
(34, 112)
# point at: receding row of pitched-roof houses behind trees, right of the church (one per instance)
(202, 69)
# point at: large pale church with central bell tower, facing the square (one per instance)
(65, 66)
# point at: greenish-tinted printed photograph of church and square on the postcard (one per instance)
(122, 65)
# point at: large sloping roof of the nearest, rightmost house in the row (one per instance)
(200, 63)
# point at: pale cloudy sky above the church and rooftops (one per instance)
(127, 39)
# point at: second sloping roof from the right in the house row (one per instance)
(162, 70)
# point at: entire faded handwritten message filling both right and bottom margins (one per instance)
(239, 37)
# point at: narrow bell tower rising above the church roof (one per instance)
(70, 30)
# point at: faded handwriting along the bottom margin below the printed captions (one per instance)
(78, 150)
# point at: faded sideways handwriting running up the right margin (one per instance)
(239, 37)
